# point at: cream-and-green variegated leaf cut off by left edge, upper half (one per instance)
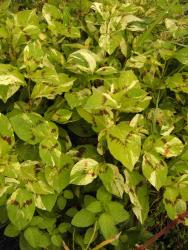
(10, 81)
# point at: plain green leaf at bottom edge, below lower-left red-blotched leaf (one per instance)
(36, 237)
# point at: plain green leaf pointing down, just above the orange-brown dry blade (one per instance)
(107, 227)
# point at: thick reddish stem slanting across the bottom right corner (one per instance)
(164, 231)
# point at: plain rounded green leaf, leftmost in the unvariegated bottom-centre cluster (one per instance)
(83, 218)
